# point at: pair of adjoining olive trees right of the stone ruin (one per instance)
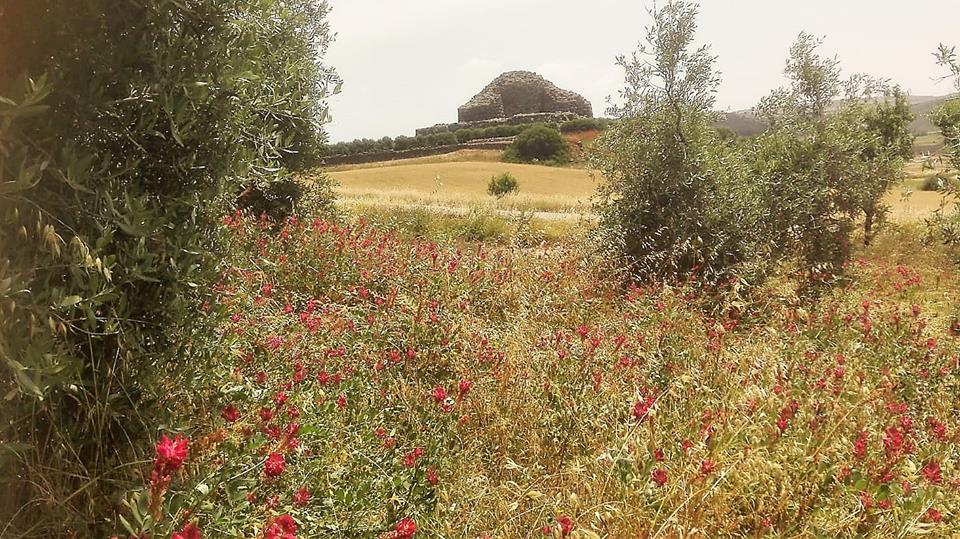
(679, 200)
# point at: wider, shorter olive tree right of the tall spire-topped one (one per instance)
(831, 154)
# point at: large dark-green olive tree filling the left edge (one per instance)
(128, 133)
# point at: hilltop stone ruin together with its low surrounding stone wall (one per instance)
(516, 98)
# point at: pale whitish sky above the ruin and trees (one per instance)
(410, 63)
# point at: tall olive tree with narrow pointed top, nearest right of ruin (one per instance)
(676, 200)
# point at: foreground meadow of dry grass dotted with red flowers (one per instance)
(365, 385)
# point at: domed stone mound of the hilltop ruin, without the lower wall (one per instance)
(522, 92)
